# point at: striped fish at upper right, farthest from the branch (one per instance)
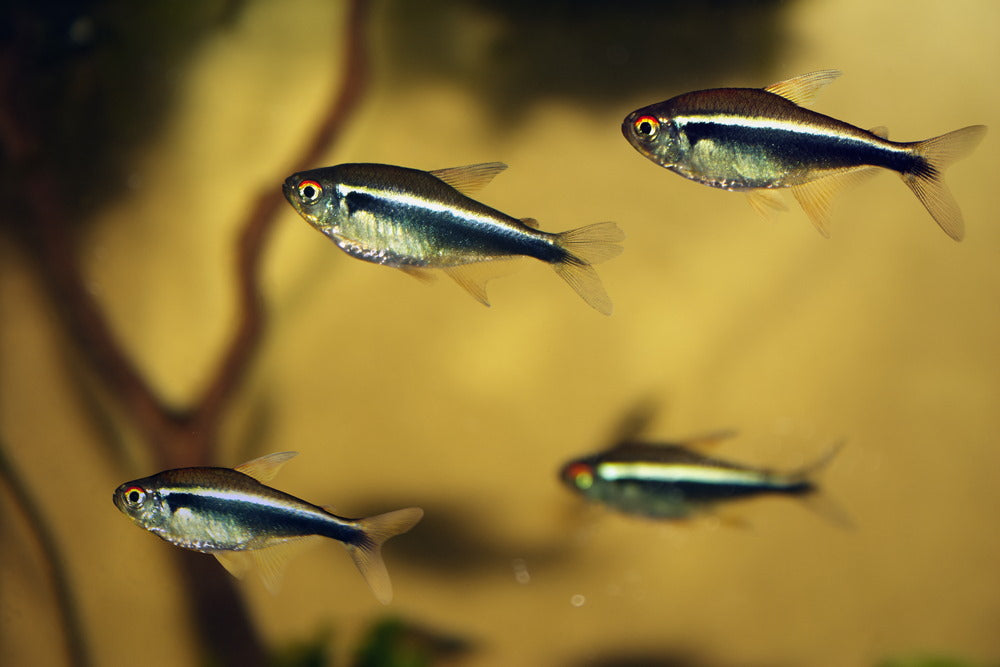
(758, 139)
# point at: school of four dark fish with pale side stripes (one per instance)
(740, 139)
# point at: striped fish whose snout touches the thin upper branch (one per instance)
(419, 221)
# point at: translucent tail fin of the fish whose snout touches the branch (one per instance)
(583, 247)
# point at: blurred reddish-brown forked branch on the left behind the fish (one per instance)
(176, 437)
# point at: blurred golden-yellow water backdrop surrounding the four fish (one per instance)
(399, 393)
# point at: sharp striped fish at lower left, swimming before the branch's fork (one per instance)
(231, 514)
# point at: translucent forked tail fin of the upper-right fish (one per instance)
(926, 179)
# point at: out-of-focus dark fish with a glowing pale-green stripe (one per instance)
(672, 481)
